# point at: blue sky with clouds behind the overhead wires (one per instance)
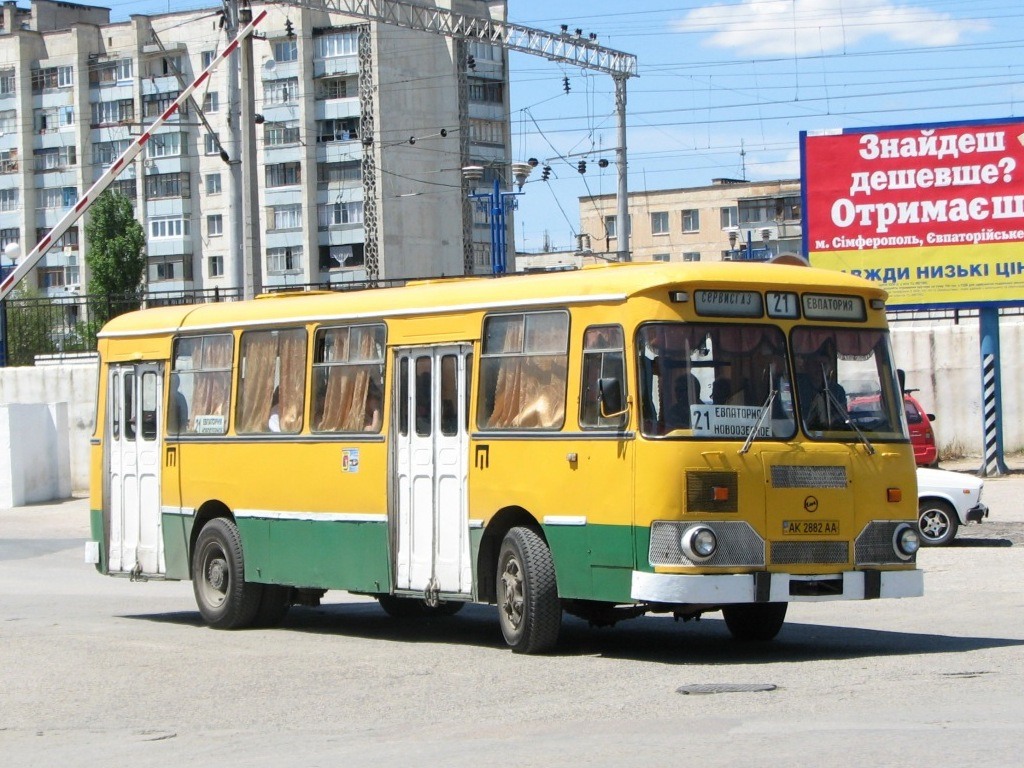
(726, 89)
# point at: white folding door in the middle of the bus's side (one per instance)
(432, 445)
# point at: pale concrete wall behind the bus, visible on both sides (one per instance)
(943, 362)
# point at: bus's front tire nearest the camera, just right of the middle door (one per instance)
(529, 610)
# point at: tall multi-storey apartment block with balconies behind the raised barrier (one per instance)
(363, 130)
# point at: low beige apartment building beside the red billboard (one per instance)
(727, 221)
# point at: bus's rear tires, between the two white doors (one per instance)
(226, 601)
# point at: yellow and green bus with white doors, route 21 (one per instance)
(606, 443)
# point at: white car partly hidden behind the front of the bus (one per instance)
(947, 501)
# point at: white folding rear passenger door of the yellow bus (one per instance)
(136, 394)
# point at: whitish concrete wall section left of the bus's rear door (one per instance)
(73, 385)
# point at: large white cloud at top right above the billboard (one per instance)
(789, 27)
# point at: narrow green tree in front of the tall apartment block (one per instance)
(116, 257)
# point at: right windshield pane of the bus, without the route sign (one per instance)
(846, 385)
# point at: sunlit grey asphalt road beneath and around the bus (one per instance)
(98, 671)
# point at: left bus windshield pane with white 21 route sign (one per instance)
(708, 380)
